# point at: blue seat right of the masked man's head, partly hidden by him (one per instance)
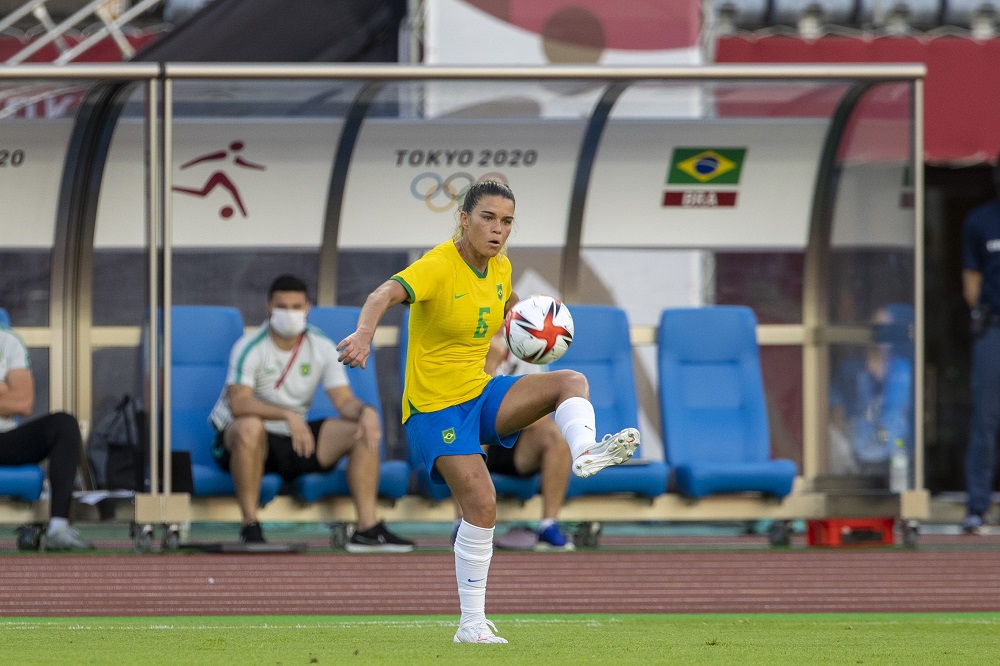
(337, 322)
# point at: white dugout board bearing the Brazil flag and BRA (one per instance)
(707, 184)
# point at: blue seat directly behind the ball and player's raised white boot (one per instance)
(602, 351)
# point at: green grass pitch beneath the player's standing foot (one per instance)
(875, 638)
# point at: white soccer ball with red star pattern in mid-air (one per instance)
(538, 329)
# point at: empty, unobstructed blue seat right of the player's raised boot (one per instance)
(712, 404)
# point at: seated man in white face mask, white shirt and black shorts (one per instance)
(260, 417)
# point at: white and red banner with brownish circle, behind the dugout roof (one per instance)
(555, 32)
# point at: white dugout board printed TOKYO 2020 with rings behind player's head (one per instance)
(407, 179)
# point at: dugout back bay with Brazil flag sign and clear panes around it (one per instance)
(703, 194)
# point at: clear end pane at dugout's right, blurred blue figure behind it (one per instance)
(872, 286)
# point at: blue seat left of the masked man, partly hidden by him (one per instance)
(203, 336)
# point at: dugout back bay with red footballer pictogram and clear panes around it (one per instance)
(250, 182)
